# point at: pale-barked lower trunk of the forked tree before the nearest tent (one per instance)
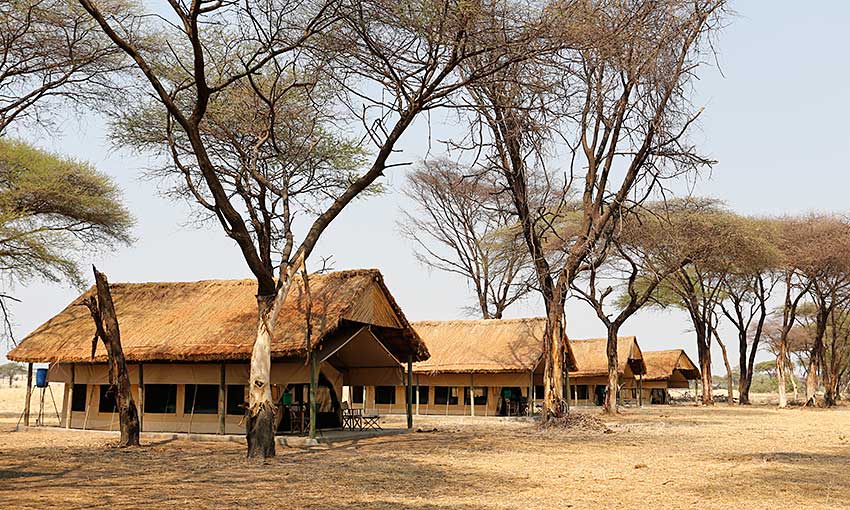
(259, 429)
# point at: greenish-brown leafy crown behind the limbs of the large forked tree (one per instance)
(274, 147)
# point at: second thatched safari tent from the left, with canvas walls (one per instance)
(477, 367)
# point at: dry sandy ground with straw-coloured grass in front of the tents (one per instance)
(656, 457)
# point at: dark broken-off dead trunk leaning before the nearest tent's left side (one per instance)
(106, 322)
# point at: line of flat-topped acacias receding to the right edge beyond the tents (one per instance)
(782, 284)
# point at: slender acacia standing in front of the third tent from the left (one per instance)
(628, 258)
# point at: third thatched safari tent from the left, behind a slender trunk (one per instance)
(589, 381)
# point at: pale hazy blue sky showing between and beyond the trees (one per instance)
(775, 121)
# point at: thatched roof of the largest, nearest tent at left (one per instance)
(216, 320)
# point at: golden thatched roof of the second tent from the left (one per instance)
(482, 346)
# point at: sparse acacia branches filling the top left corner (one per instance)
(51, 53)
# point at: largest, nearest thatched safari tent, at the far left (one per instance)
(188, 345)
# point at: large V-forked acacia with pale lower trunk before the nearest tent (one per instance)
(390, 63)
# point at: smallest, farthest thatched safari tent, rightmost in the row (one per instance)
(666, 370)
